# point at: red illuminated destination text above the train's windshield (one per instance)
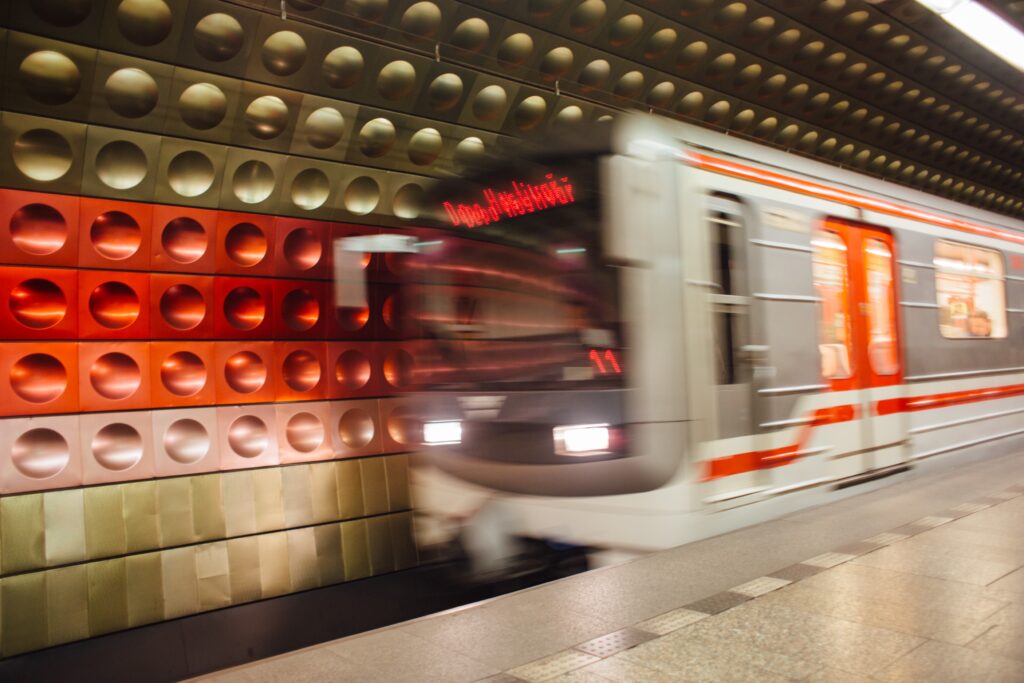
(522, 199)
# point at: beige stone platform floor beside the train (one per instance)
(919, 581)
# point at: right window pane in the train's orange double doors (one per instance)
(882, 349)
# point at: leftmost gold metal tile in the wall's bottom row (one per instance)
(24, 619)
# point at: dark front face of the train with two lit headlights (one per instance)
(527, 315)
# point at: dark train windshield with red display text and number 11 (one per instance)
(514, 290)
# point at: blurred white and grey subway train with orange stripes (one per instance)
(677, 333)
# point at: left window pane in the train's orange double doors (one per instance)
(832, 282)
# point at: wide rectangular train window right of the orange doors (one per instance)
(970, 291)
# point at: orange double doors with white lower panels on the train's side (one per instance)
(860, 338)
